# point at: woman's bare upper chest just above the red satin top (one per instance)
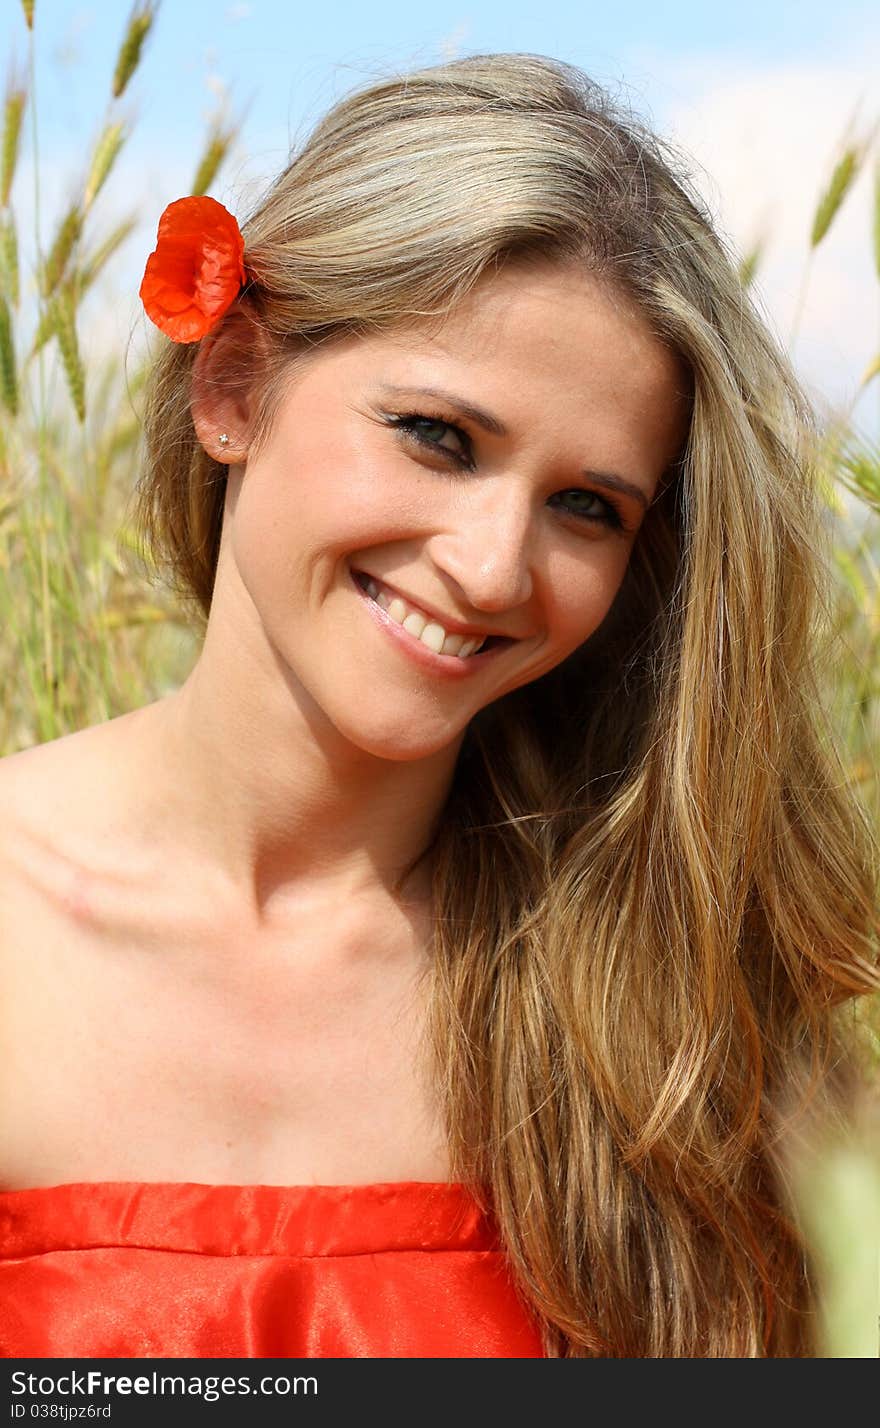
(164, 1049)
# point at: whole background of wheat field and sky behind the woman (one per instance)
(112, 112)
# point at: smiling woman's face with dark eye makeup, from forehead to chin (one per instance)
(505, 501)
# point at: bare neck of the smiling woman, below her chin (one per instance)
(258, 783)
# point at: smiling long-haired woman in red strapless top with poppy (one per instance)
(559, 920)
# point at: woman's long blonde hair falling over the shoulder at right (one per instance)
(655, 892)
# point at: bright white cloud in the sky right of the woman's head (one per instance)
(766, 141)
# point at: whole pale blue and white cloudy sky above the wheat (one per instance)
(756, 95)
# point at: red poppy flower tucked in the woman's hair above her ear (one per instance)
(196, 271)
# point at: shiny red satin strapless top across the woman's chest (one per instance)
(129, 1269)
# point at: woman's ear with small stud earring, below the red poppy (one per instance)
(224, 382)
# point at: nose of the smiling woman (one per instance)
(486, 548)
